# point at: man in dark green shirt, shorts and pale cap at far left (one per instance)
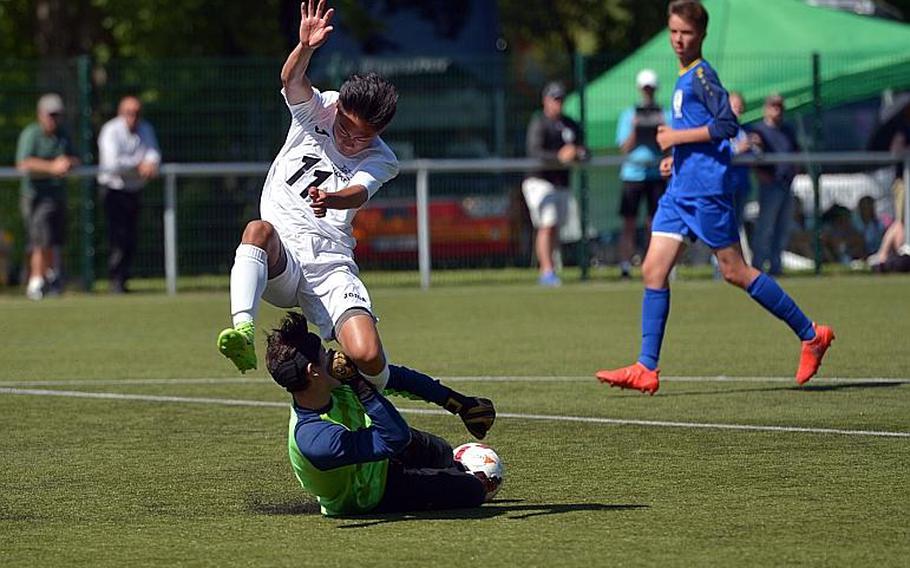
(45, 153)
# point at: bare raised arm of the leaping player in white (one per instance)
(314, 31)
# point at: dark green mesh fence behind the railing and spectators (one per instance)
(228, 111)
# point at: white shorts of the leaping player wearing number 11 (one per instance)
(321, 278)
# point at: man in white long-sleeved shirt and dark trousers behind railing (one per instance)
(128, 157)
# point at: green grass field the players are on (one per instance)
(127, 440)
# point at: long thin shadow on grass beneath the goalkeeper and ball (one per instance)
(510, 509)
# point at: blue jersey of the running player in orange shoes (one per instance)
(699, 99)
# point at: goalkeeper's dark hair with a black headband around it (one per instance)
(290, 347)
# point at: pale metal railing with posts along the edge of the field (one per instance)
(423, 169)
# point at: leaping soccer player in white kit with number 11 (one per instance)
(301, 251)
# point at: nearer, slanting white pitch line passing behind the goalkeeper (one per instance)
(559, 418)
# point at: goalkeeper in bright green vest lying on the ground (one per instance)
(348, 444)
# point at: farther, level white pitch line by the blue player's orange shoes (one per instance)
(453, 379)
